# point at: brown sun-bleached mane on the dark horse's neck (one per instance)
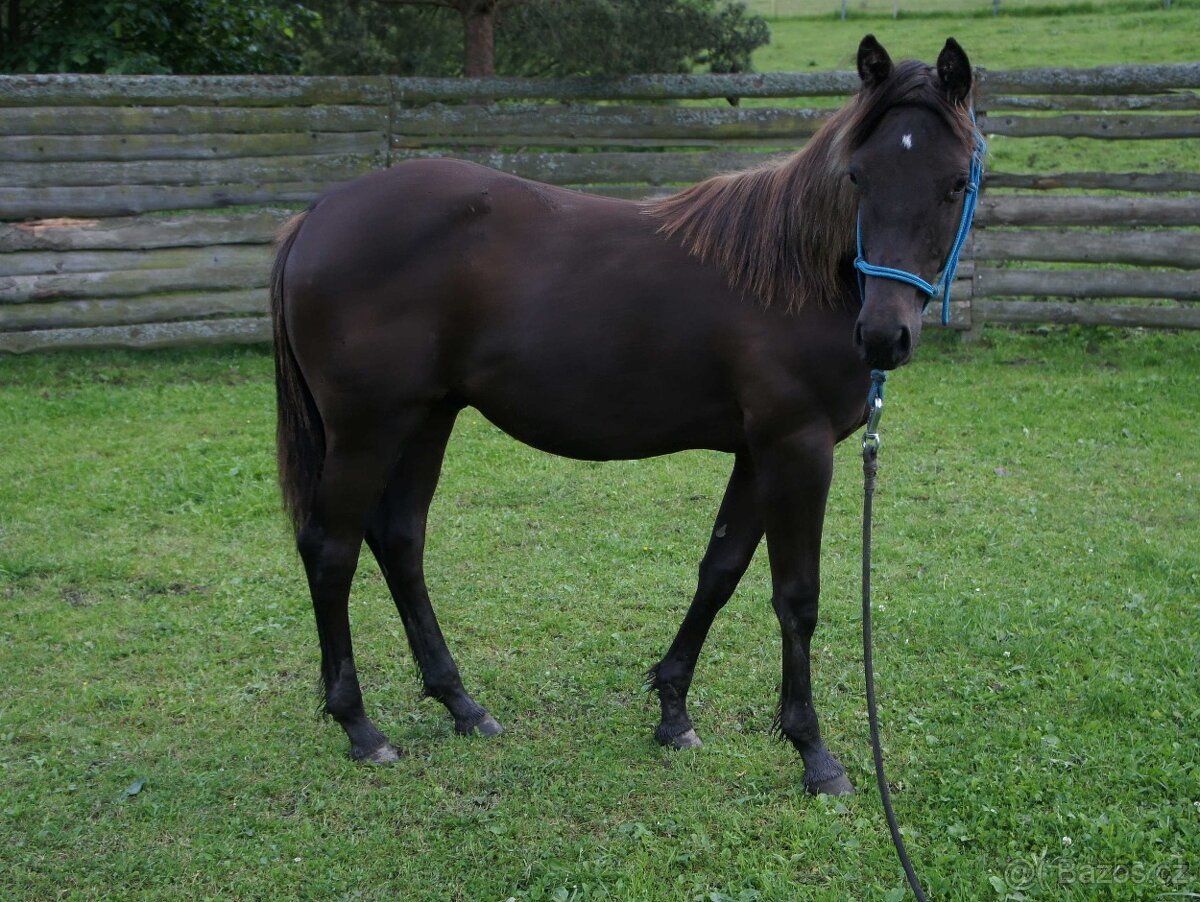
(784, 232)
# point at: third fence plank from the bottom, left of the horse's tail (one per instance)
(124, 284)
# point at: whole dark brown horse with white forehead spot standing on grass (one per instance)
(727, 317)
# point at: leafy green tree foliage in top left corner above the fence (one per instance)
(149, 37)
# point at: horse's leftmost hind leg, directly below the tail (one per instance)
(353, 476)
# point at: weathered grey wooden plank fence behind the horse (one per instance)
(140, 211)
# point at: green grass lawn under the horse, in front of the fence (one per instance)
(1037, 570)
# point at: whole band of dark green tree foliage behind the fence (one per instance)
(532, 38)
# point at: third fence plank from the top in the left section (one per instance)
(95, 148)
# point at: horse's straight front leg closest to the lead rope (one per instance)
(795, 472)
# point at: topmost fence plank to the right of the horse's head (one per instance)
(1100, 80)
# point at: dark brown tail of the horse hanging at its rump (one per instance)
(299, 432)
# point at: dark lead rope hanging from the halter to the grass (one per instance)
(871, 467)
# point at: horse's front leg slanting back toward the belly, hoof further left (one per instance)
(735, 538)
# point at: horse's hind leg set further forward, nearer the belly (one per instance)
(397, 537)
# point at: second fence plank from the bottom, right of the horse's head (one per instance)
(1087, 284)
